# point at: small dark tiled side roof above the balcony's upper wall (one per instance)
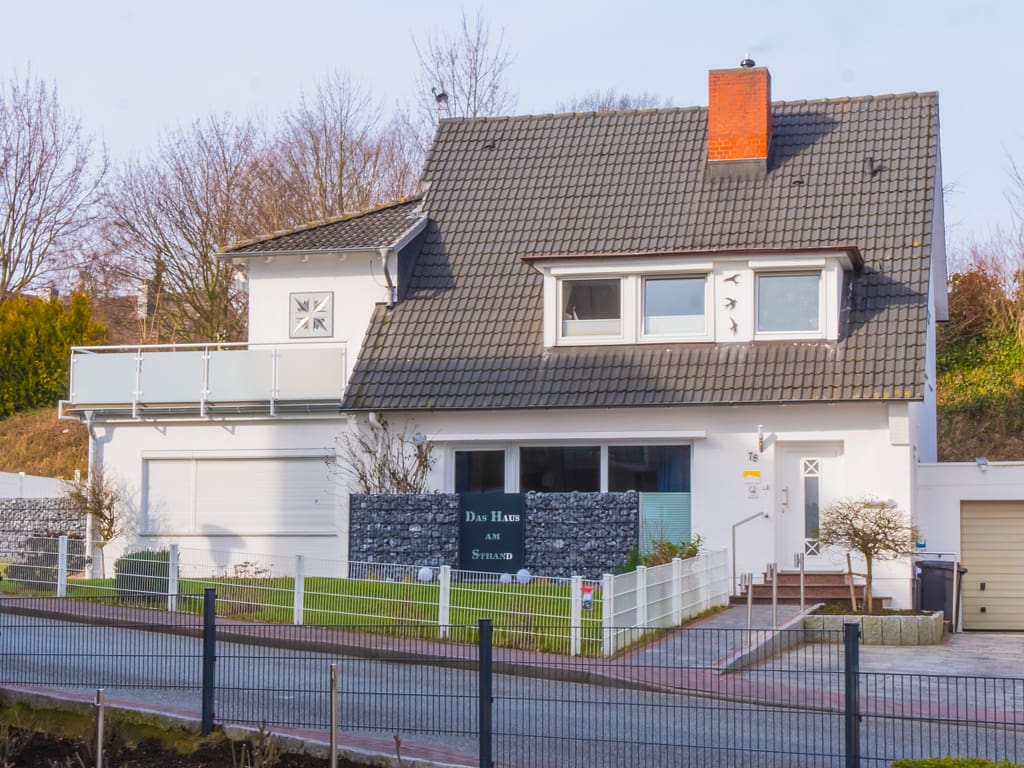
(375, 229)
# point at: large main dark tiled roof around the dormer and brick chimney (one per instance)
(470, 334)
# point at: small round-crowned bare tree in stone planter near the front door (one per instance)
(876, 529)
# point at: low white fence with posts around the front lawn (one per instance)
(571, 616)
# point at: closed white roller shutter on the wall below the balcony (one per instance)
(271, 495)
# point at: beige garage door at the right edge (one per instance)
(993, 551)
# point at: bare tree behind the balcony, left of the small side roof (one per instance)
(200, 192)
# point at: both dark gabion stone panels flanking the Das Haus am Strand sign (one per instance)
(567, 534)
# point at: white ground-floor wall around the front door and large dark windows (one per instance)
(865, 449)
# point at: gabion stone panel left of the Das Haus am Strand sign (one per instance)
(408, 529)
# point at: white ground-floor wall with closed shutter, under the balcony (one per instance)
(226, 491)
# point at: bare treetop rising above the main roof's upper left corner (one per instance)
(462, 76)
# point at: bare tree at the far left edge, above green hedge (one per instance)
(50, 183)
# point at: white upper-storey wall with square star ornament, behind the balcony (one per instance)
(357, 280)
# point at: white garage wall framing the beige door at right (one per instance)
(944, 487)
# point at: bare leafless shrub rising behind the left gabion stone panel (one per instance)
(385, 460)
